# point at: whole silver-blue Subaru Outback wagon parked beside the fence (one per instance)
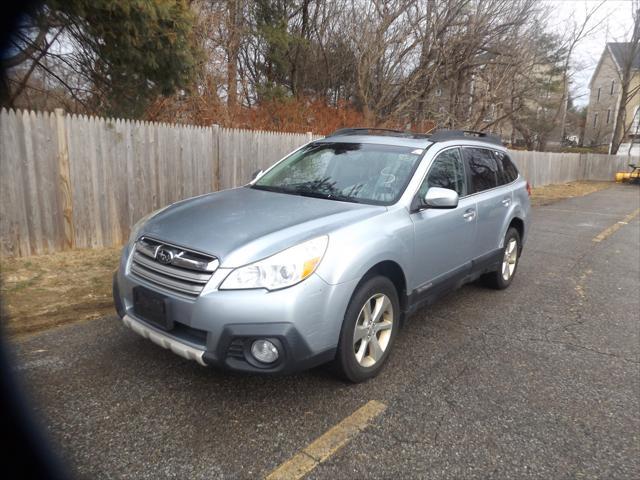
(324, 255)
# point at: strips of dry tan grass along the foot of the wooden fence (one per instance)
(45, 291)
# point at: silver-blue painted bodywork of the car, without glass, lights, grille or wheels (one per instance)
(243, 225)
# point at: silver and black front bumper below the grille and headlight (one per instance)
(218, 327)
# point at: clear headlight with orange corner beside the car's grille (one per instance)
(281, 270)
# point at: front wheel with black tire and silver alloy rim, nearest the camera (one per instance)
(368, 331)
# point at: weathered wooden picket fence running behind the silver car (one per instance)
(72, 181)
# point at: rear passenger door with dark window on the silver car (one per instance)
(492, 199)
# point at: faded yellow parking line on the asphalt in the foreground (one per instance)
(328, 443)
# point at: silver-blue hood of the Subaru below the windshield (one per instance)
(242, 225)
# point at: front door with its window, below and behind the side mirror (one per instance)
(444, 238)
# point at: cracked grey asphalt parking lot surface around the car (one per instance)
(541, 380)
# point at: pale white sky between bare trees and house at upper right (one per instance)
(616, 24)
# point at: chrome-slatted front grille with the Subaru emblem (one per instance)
(171, 267)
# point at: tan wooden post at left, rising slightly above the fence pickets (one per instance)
(64, 181)
